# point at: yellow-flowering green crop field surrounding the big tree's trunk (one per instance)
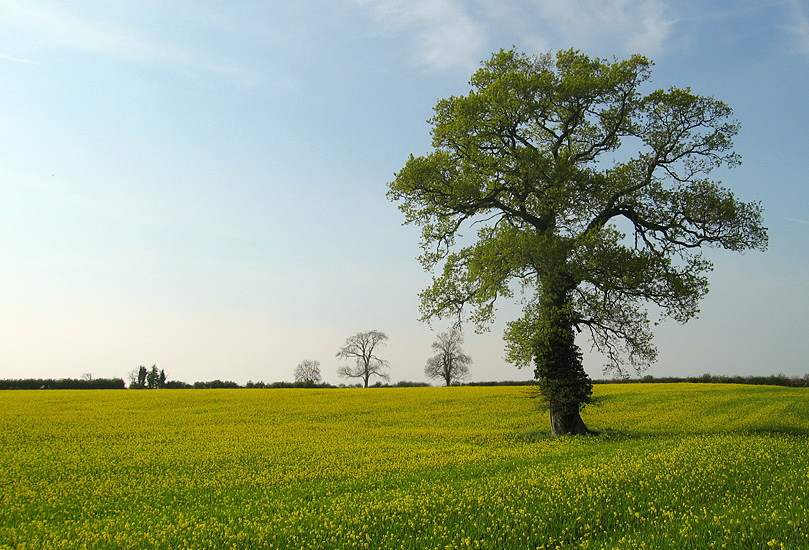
(678, 466)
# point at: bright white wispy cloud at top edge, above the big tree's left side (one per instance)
(446, 36)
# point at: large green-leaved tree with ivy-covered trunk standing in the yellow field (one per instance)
(588, 196)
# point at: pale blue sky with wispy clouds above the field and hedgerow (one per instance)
(201, 185)
